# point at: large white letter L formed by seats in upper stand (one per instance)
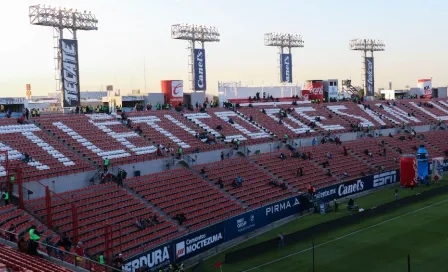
(112, 154)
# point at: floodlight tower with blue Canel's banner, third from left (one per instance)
(282, 41)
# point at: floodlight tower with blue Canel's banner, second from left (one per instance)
(196, 34)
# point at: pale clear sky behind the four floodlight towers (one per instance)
(415, 33)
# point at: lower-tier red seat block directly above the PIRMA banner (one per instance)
(255, 191)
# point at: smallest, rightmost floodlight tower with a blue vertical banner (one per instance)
(366, 46)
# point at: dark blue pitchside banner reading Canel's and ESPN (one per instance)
(357, 186)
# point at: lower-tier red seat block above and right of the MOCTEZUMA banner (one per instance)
(182, 191)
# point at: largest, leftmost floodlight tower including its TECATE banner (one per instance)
(60, 19)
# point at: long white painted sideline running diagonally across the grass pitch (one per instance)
(344, 236)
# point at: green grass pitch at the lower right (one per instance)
(381, 243)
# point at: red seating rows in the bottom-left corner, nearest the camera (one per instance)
(17, 261)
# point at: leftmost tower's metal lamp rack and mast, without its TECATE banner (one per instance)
(60, 19)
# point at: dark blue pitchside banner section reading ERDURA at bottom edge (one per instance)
(152, 259)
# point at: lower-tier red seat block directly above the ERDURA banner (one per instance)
(101, 205)
